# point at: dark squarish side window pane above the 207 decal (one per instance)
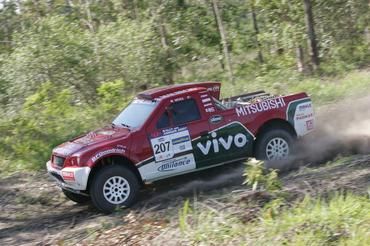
(185, 111)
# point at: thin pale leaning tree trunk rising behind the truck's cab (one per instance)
(222, 33)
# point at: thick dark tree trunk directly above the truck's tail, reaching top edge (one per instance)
(314, 52)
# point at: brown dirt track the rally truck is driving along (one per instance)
(34, 211)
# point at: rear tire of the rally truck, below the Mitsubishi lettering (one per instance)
(273, 134)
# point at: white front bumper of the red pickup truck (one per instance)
(74, 178)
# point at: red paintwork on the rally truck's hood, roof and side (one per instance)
(135, 146)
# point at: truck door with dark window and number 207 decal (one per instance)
(171, 136)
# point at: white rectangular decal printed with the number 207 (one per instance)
(171, 142)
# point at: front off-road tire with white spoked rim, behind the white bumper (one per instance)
(103, 178)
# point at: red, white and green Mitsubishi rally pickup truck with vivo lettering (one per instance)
(175, 130)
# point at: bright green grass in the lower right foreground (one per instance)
(342, 219)
